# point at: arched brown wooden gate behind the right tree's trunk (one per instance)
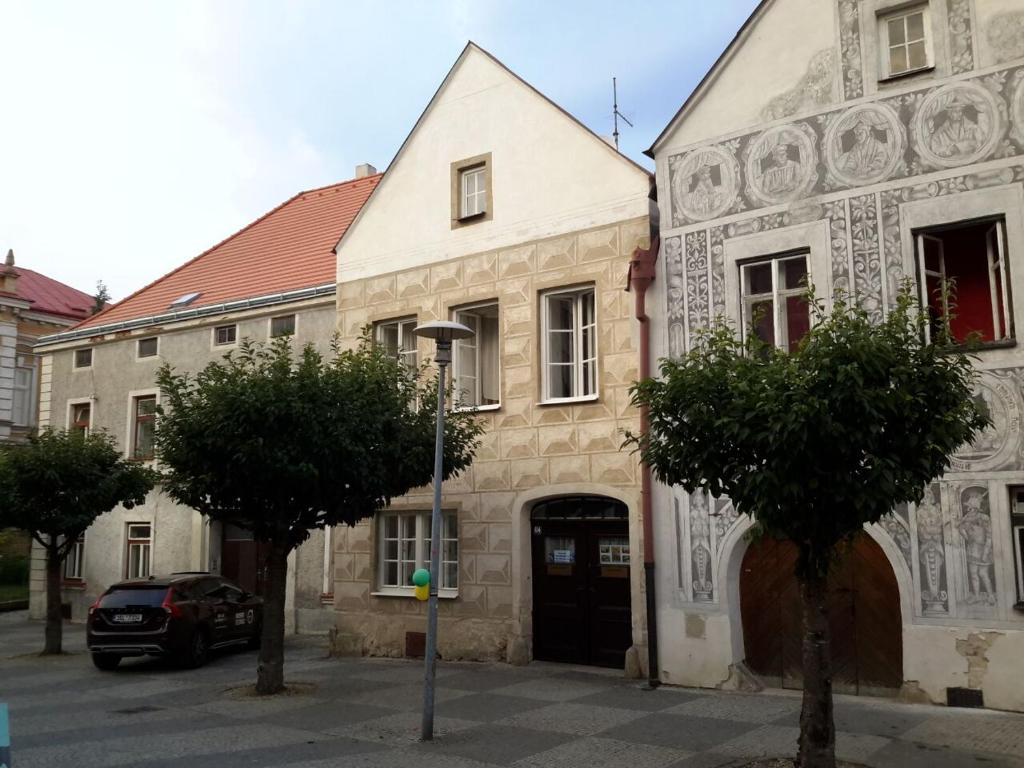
(864, 615)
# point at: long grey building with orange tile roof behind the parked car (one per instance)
(275, 277)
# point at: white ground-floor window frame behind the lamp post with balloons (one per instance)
(421, 547)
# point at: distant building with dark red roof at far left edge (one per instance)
(31, 306)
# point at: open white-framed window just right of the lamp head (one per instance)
(476, 360)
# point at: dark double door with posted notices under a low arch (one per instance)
(581, 574)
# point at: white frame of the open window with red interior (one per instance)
(996, 242)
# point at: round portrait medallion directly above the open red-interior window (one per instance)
(957, 124)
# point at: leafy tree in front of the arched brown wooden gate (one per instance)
(814, 446)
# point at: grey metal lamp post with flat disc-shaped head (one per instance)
(444, 333)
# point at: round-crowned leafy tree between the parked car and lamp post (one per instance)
(284, 446)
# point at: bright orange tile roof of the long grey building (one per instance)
(290, 248)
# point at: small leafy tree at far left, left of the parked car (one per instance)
(55, 487)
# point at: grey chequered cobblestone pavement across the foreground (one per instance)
(366, 714)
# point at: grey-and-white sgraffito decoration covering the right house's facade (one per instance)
(854, 169)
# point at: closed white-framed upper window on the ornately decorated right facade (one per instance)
(775, 300)
